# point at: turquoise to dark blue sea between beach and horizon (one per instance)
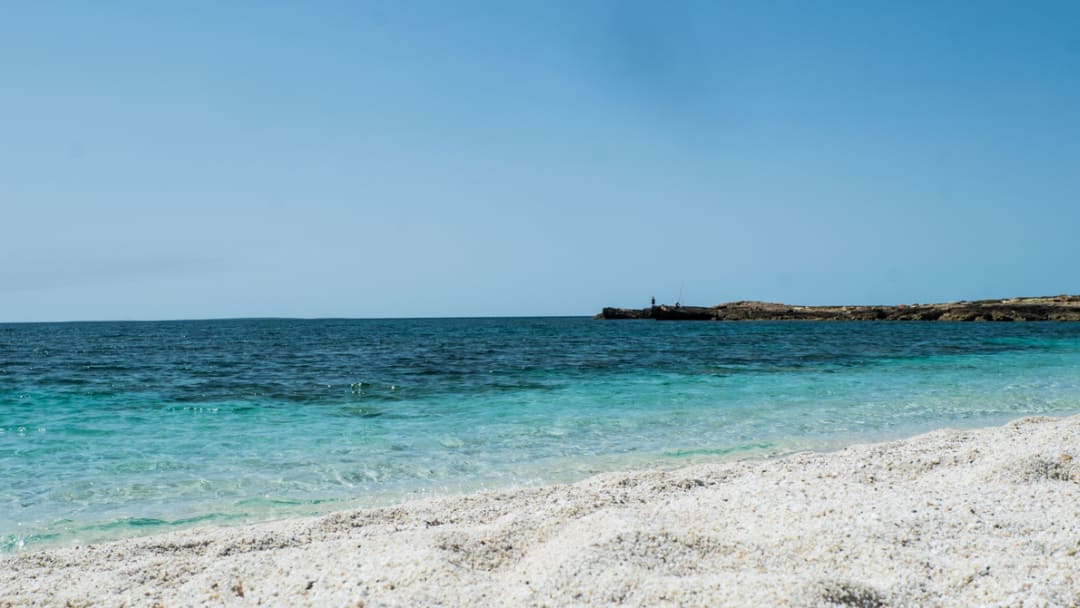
(110, 430)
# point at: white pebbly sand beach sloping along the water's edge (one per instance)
(950, 519)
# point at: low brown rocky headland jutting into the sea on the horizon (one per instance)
(1048, 308)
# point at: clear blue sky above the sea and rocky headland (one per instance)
(205, 159)
